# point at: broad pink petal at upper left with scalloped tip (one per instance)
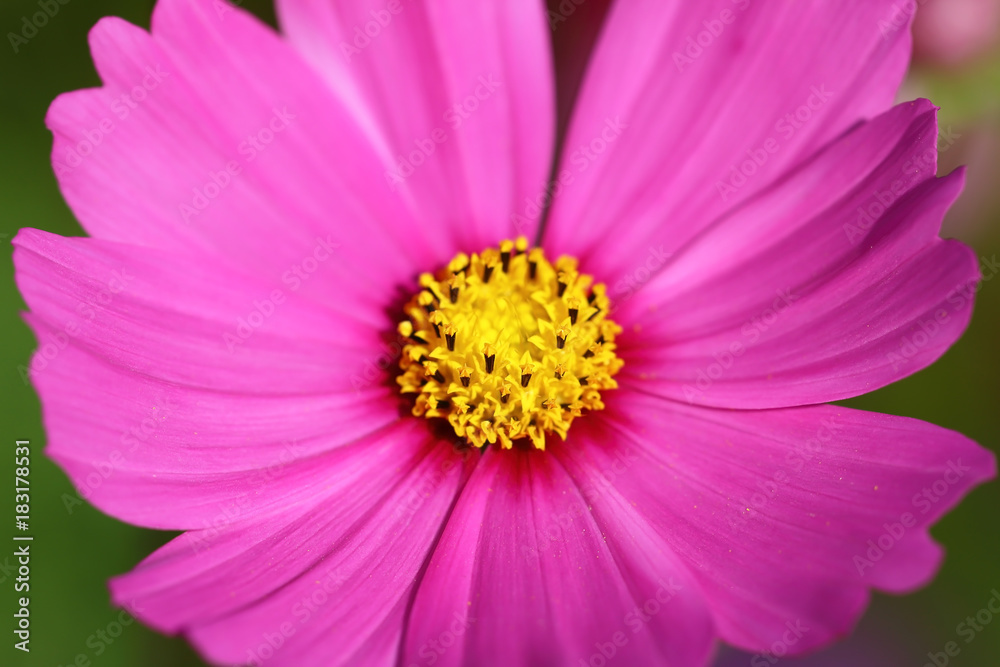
(213, 138)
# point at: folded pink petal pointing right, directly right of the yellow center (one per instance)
(828, 285)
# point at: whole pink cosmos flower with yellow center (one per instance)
(214, 358)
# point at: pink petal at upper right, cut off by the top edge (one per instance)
(653, 134)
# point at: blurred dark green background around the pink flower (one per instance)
(957, 66)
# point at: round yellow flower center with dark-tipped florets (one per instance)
(506, 345)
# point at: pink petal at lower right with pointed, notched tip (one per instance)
(785, 518)
